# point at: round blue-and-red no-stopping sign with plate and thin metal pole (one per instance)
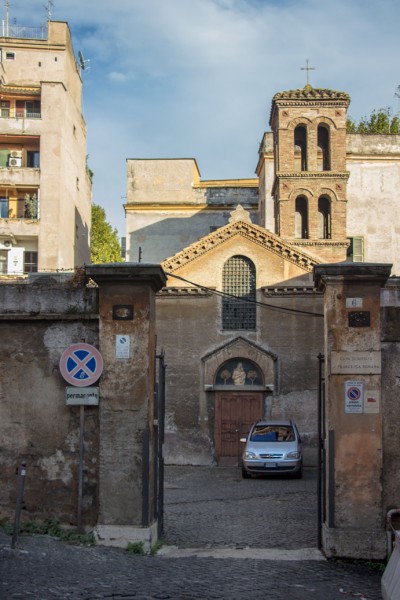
(81, 365)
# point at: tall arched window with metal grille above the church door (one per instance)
(239, 283)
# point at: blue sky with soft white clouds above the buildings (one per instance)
(195, 78)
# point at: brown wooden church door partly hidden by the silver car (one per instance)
(234, 414)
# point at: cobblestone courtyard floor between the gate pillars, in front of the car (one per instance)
(217, 507)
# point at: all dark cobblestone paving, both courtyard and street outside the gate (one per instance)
(210, 509)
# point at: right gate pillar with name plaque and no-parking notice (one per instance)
(353, 519)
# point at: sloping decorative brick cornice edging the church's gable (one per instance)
(253, 233)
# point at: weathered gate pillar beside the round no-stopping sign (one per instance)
(126, 409)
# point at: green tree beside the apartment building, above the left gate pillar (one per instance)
(104, 246)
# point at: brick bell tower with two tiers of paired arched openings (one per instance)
(310, 177)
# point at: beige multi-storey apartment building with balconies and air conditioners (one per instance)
(45, 192)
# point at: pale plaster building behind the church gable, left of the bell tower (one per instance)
(168, 208)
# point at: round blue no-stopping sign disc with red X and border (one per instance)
(81, 364)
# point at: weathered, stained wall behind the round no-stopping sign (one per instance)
(38, 321)
